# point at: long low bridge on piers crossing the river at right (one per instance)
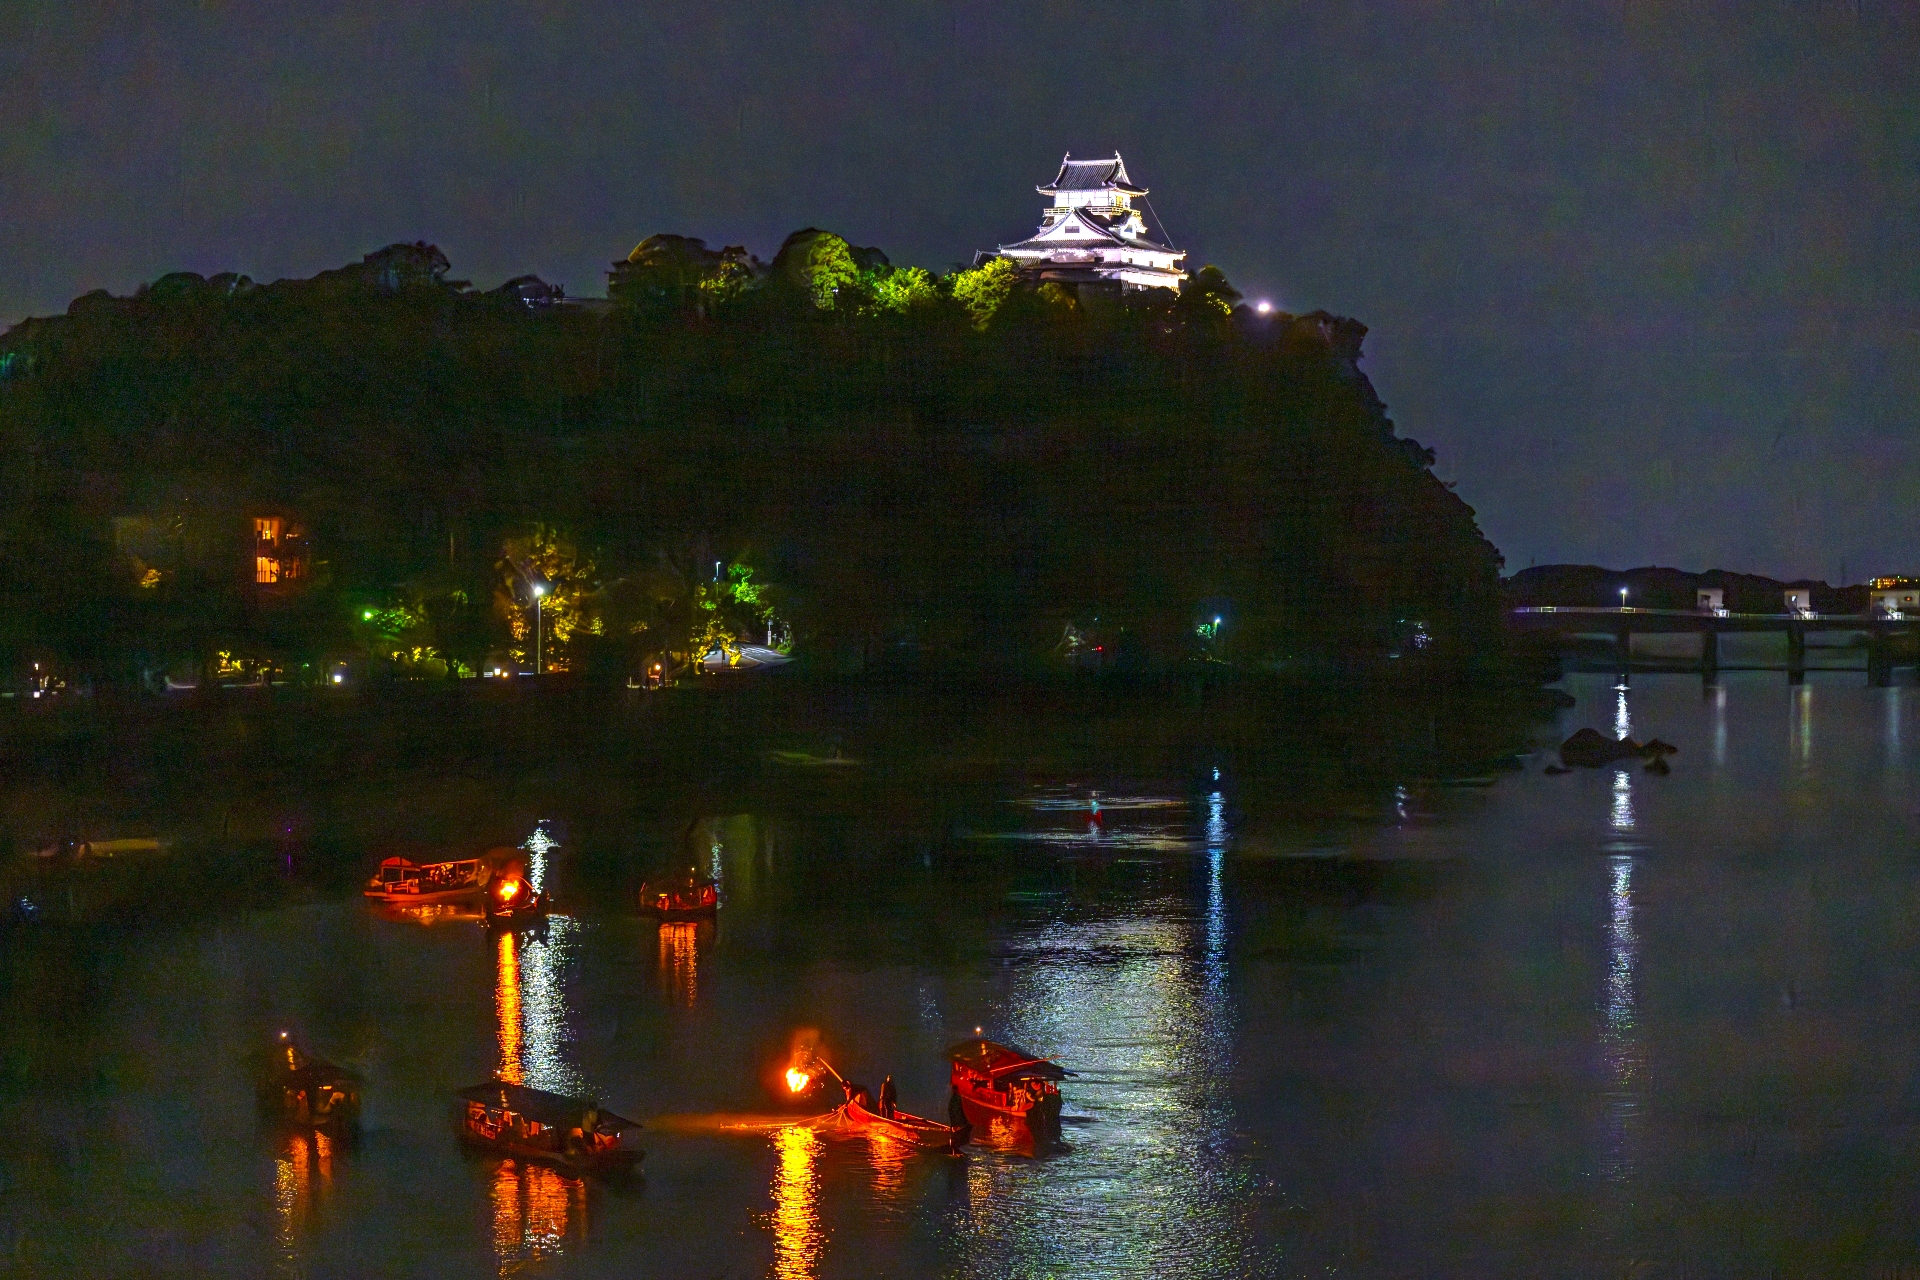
(1625, 623)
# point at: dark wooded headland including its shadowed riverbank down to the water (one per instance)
(260, 542)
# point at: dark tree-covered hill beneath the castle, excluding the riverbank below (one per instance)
(961, 471)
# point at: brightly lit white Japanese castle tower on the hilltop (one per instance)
(1093, 235)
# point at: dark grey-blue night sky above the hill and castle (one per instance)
(1646, 275)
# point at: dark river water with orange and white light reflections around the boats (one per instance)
(1593, 1026)
